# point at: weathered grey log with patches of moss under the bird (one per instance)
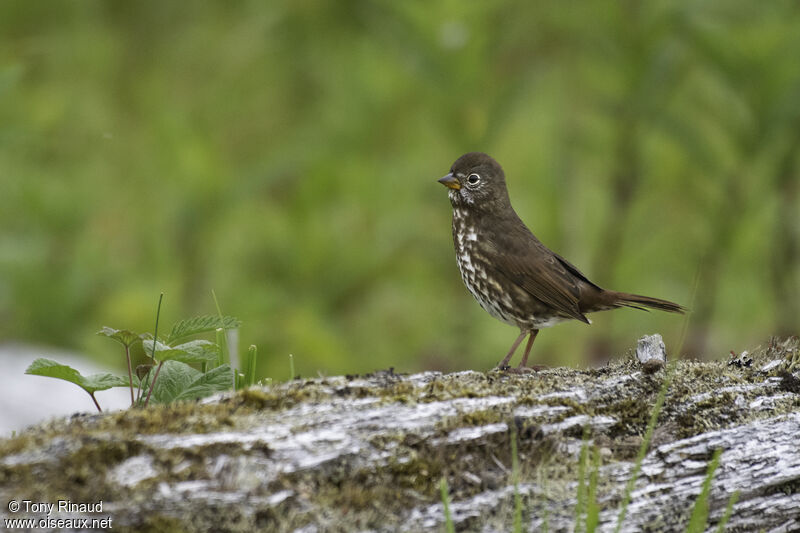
(368, 453)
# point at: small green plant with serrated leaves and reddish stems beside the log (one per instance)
(171, 377)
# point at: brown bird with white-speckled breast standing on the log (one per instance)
(513, 276)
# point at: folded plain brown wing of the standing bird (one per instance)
(536, 269)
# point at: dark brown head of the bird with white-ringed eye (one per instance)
(476, 181)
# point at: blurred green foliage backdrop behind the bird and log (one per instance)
(285, 154)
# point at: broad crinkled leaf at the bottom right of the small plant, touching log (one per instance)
(180, 382)
